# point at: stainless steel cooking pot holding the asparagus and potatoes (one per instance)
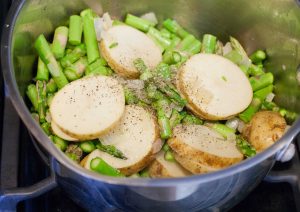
(273, 25)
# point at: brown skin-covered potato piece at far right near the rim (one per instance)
(264, 129)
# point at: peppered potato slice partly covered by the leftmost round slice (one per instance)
(136, 136)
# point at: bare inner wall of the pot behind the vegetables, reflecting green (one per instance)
(270, 25)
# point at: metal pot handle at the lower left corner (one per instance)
(9, 198)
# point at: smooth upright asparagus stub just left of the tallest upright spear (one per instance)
(75, 30)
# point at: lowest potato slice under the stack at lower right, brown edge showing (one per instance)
(194, 167)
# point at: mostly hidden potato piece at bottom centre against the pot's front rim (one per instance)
(161, 168)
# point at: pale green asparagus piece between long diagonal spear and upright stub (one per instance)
(59, 41)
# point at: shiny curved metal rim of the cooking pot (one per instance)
(43, 140)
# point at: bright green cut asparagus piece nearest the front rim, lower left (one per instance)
(100, 166)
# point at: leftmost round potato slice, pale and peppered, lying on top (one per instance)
(89, 107)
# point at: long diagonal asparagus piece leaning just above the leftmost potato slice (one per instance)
(48, 58)
